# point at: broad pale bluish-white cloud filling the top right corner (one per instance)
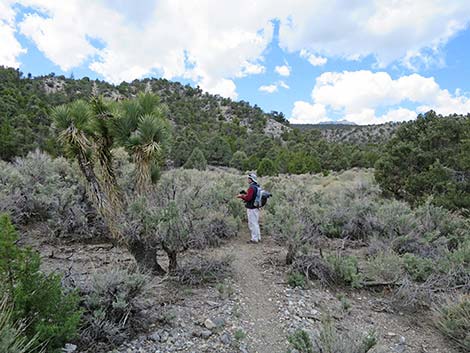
(388, 30)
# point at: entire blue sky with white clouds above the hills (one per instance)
(368, 61)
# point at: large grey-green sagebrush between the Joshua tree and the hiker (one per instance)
(187, 209)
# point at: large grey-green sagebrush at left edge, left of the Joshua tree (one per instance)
(40, 188)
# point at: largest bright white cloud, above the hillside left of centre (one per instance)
(210, 46)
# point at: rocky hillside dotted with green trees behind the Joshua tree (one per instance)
(226, 132)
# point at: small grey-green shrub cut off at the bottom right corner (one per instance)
(453, 320)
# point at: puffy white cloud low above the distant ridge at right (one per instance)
(358, 95)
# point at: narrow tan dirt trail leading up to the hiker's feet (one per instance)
(258, 297)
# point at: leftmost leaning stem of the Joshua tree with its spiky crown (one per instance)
(74, 124)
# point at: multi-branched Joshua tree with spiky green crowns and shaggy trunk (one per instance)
(89, 132)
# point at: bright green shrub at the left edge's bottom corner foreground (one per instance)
(52, 313)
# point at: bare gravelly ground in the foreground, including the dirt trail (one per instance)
(253, 310)
